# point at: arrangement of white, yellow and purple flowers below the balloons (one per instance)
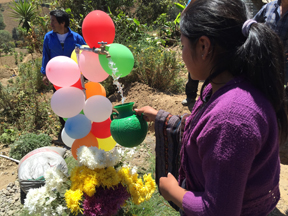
(97, 187)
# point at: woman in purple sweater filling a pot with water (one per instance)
(229, 155)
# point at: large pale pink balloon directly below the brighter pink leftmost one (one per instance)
(67, 102)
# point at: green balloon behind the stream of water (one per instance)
(121, 56)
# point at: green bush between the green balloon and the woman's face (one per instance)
(158, 68)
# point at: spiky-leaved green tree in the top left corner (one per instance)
(25, 12)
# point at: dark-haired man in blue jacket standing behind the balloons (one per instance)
(60, 41)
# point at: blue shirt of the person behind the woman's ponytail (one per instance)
(270, 14)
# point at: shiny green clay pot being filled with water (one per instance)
(127, 128)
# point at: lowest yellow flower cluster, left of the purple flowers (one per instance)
(72, 199)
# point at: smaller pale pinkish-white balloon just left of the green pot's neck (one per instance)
(97, 108)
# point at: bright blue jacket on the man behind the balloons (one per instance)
(52, 46)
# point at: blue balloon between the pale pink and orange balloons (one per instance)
(78, 126)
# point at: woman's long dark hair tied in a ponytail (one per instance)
(259, 56)
